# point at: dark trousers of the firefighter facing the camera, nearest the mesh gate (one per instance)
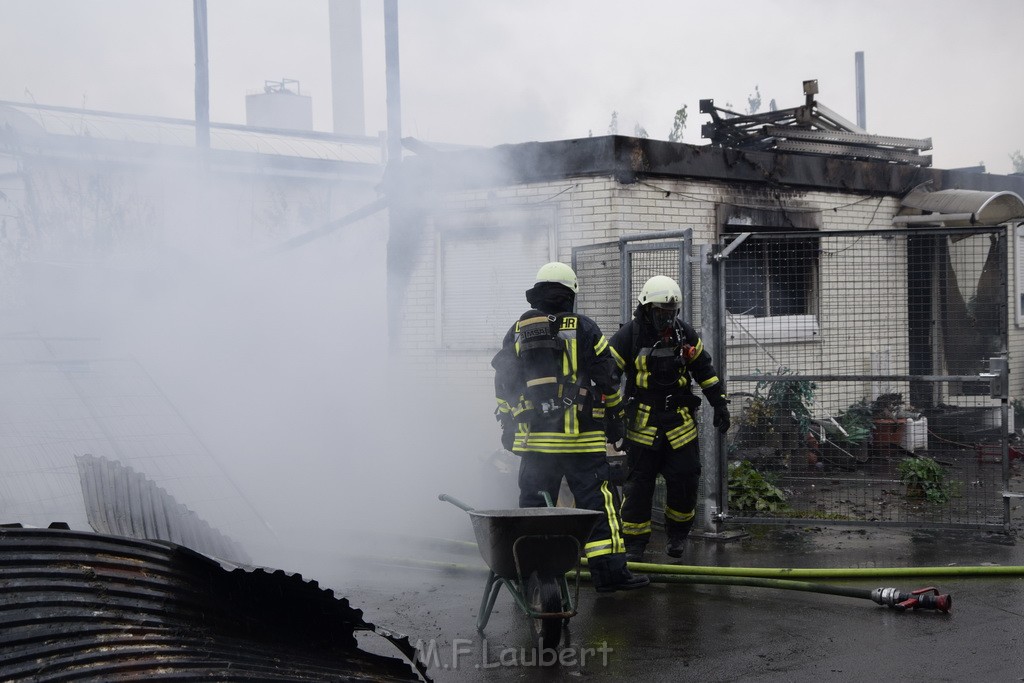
(681, 469)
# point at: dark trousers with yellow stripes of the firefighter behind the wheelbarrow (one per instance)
(587, 476)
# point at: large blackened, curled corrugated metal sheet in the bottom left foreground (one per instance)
(87, 607)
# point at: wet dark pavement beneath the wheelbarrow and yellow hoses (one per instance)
(721, 633)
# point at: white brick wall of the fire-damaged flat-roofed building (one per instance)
(599, 210)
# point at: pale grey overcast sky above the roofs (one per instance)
(504, 71)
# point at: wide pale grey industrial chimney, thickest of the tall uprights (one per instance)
(347, 67)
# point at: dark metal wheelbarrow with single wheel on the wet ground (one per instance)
(530, 551)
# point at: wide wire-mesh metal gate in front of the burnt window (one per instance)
(868, 373)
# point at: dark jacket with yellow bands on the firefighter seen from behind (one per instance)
(587, 376)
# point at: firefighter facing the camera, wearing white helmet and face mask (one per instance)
(661, 356)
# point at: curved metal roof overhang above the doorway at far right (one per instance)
(958, 208)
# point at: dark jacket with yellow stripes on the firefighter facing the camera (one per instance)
(660, 372)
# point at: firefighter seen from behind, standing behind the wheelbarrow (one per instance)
(554, 379)
